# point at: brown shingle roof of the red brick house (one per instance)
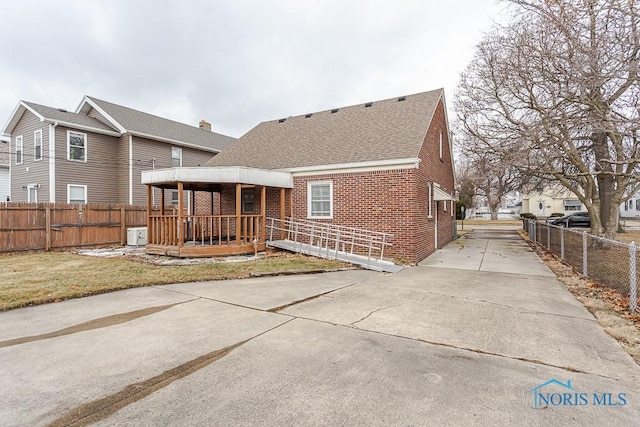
(385, 130)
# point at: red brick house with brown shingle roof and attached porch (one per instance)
(384, 166)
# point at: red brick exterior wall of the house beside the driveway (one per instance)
(392, 201)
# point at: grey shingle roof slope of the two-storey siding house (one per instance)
(137, 122)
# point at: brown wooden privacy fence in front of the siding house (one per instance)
(37, 226)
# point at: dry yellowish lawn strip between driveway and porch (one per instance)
(38, 278)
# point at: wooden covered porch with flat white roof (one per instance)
(213, 211)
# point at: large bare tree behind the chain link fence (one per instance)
(556, 94)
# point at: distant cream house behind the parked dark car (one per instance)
(551, 199)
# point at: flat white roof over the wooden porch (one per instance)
(203, 176)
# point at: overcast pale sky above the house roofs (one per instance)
(234, 63)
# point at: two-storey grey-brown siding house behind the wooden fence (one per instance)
(96, 154)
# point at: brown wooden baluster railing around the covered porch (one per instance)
(175, 230)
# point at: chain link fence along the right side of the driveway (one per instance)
(609, 262)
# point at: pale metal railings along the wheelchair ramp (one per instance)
(329, 239)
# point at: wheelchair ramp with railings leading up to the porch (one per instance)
(332, 242)
